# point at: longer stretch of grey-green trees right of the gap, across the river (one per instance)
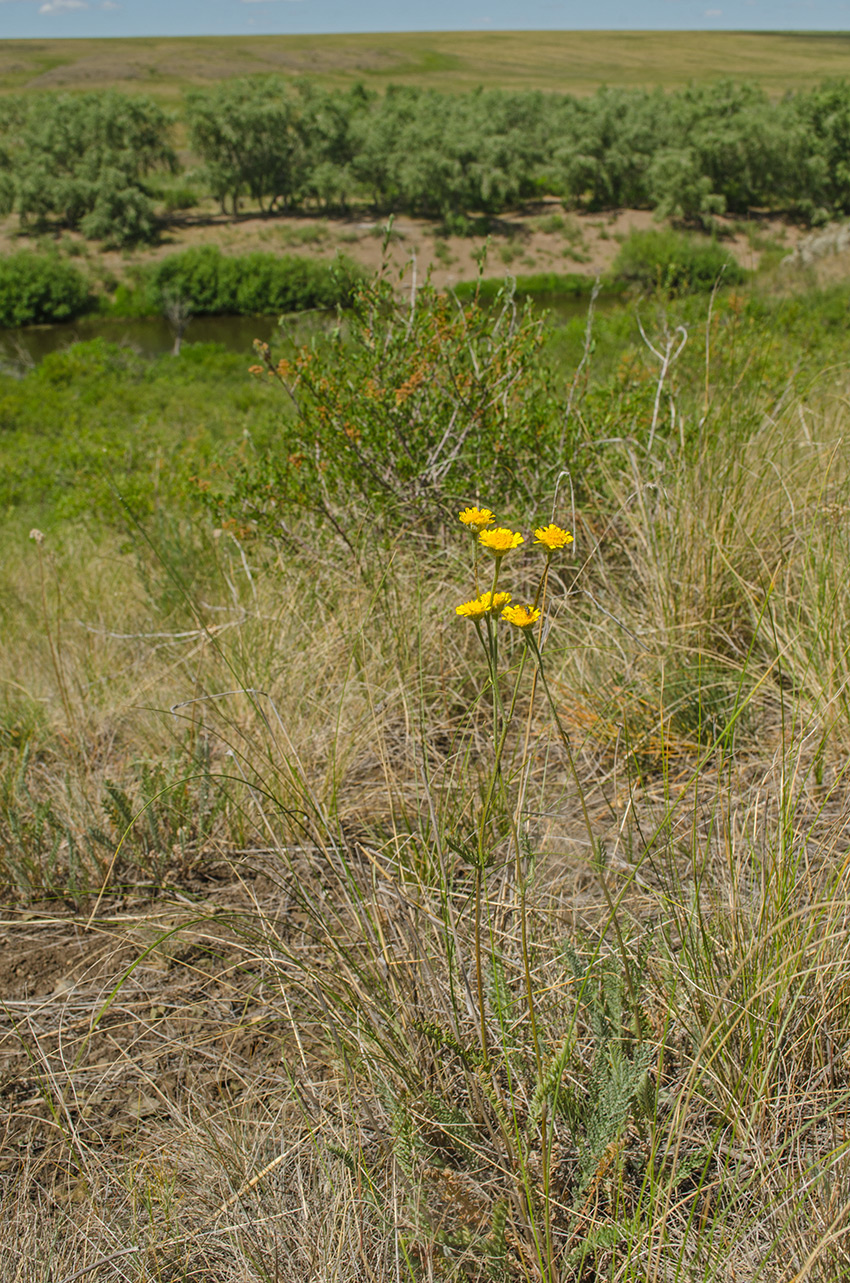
(690, 155)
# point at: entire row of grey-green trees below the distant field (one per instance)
(99, 162)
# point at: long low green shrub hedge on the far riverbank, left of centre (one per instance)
(211, 283)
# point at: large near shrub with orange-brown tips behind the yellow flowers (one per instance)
(407, 410)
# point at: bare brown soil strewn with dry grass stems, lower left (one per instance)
(113, 1024)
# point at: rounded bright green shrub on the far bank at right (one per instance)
(675, 261)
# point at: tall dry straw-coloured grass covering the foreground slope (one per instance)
(570, 1010)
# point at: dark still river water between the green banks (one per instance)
(153, 337)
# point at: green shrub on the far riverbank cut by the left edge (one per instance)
(40, 288)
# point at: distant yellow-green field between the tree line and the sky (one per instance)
(570, 61)
